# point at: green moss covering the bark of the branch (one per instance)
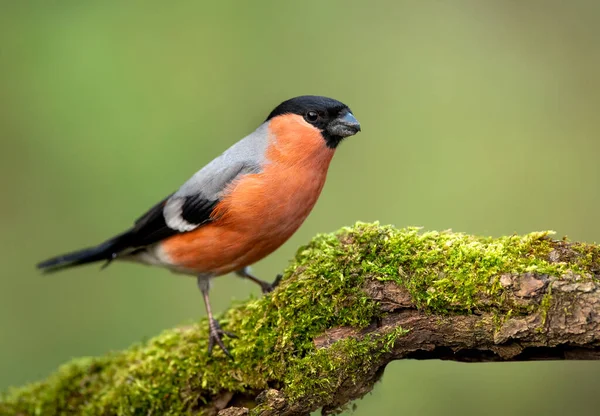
(444, 272)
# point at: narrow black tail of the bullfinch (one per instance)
(106, 251)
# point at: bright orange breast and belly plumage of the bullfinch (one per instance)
(261, 211)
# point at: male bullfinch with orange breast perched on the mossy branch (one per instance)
(240, 207)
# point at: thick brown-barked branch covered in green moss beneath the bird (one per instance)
(350, 303)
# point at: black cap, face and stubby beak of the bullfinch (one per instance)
(333, 118)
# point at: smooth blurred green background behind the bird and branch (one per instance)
(480, 116)
